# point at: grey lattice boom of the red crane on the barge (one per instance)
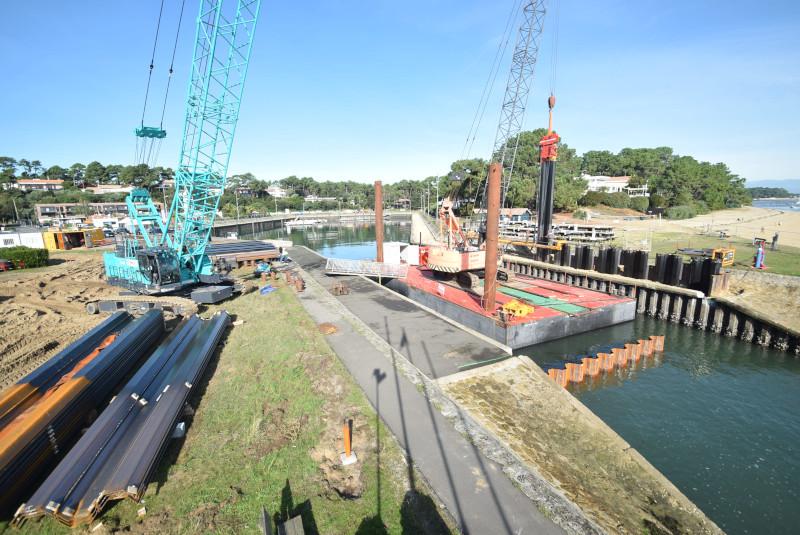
(523, 64)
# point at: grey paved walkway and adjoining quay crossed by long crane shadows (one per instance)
(473, 489)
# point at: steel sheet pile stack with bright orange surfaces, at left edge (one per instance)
(44, 410)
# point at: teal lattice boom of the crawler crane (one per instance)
(221, 55)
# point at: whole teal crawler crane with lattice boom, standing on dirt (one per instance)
(169, 258)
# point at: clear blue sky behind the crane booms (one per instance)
(369, 90)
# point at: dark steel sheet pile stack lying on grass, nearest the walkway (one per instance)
(117, 456)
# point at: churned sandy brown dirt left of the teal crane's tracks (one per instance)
(42, 311)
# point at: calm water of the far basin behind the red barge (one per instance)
(351, 241)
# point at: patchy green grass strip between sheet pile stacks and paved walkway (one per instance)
(273, 396)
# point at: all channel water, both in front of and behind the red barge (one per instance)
(719, 418)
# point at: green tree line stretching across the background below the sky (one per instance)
(673, 181)
